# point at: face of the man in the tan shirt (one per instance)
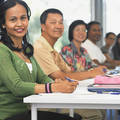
(53, 28)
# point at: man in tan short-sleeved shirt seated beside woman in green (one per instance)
(52, 63)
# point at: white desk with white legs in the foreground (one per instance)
(81, 99)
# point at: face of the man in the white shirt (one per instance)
(94, 33)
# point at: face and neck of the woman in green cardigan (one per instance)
(16, 24)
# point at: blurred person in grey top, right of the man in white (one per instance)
(109, 41)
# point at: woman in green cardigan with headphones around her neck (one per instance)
(20, 74)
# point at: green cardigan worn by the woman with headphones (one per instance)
(16, 82)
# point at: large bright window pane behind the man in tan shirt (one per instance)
(71, 9)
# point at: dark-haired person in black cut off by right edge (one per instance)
(116, 48)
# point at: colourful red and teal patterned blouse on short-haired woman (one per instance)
(72, 58)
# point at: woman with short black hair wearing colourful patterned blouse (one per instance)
(73, 54)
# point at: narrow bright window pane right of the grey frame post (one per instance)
(113, 16)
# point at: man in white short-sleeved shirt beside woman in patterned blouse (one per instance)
(94, 35)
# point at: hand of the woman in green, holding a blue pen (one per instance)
(63, 86)
